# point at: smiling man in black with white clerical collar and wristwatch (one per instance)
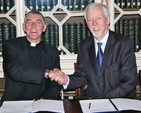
(28, 61)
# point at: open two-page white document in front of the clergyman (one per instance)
(32, 106)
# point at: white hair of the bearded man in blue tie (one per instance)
(91, 6)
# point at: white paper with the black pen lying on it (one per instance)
(97, 105)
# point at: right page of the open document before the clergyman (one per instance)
(48, 105)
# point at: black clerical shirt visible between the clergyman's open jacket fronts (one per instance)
(32, 90)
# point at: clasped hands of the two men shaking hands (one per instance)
(58, 76)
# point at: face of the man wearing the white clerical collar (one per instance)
(34, 27)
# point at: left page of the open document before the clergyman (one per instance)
(16, 107)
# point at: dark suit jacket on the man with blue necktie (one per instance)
(118, 72)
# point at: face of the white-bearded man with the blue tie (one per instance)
(98, 23)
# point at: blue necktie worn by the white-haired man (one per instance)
(99, 57)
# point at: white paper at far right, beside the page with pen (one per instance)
(127, 104)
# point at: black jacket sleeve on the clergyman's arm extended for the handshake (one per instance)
(17, 71)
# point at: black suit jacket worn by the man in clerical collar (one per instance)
(19, 72)
